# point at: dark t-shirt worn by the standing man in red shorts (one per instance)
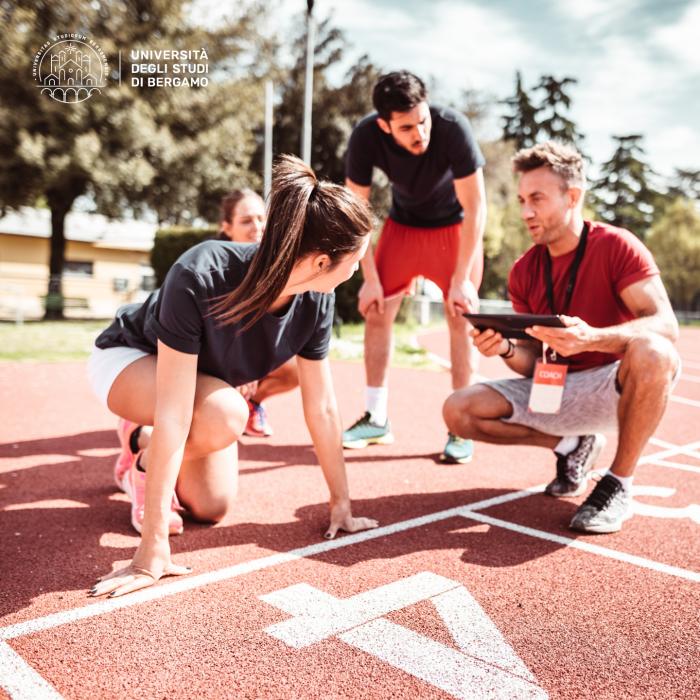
(423, 192)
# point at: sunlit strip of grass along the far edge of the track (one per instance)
(59, 341)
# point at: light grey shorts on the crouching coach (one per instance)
(589, 403)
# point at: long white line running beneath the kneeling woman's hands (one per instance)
(181, 585)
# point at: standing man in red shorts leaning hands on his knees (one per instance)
(434, 229)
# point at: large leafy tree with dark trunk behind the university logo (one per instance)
(168, 149)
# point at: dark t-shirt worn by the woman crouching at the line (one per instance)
(178, 315)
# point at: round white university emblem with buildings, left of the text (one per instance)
(70, 69)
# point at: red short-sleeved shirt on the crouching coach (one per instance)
(614, 259)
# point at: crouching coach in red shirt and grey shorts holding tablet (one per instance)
(618, 343)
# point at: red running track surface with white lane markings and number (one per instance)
(472, 587)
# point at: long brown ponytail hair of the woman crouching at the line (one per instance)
(305, 216)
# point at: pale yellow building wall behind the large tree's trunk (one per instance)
(24, 270)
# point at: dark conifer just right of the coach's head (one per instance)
(623, 195)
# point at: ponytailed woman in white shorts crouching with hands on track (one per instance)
(227, 315)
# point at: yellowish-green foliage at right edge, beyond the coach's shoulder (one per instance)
(674, 241)
